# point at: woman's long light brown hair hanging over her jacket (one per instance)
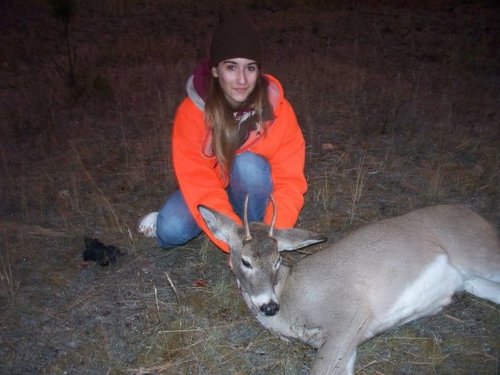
(219, 115)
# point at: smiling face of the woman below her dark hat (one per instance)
(237, 78)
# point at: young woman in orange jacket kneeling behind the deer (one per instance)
(234, 134)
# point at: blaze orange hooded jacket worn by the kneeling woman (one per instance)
(199, 176)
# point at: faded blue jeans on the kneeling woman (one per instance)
(250, 174)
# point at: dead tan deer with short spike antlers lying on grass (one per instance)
(379, 276)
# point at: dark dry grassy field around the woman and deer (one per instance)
(398, 102)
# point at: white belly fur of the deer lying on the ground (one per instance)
(427, 295)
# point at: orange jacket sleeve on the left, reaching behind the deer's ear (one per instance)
(197, 176)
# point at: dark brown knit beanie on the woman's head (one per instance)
(236, 36)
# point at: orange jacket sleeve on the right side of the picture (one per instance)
(287, 166)
